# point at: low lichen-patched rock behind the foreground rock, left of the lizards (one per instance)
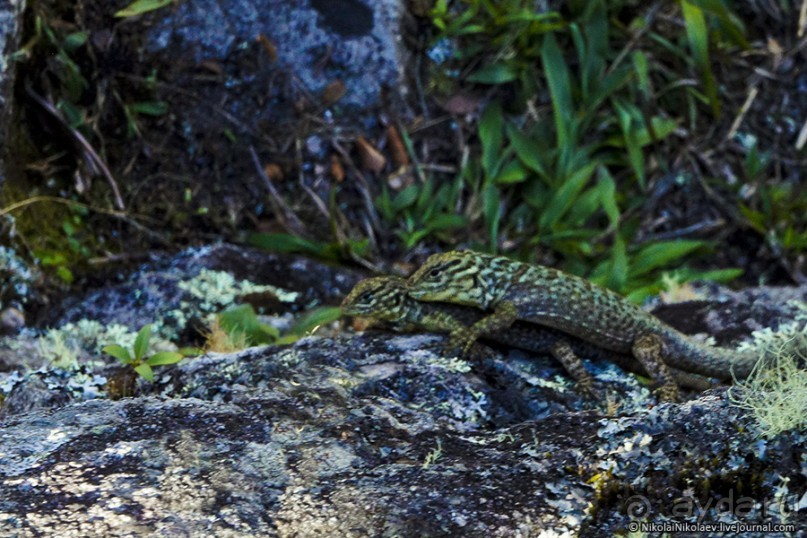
(169, 288)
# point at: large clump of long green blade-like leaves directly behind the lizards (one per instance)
(566, 165)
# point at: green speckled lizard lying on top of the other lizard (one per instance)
(514, 290)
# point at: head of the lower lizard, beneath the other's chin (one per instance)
(380, 298)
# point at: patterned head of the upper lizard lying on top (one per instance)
(455, 277)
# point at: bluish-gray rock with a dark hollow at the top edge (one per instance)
(316, 42)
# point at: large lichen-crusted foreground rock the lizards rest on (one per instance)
(377, 436)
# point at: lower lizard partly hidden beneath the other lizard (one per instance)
(386, 299)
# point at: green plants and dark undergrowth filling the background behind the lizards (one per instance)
(637, 144)
